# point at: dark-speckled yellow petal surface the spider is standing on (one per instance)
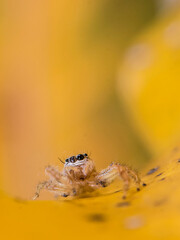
(152, 213)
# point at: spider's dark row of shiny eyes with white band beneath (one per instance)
(78, 160)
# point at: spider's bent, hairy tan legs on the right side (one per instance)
(108, 175)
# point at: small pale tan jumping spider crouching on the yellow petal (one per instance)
(79, 176)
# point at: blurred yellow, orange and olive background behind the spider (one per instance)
(100, 77)
